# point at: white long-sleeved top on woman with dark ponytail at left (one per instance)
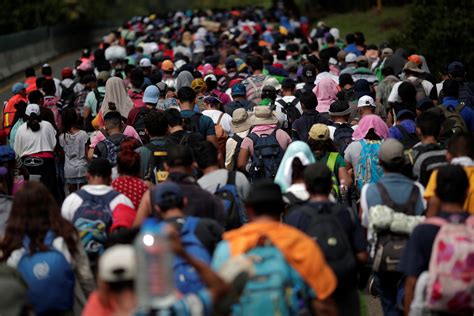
(28, 142)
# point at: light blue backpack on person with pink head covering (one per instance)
(368, 169)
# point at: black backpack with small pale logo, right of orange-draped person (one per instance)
(326, 229)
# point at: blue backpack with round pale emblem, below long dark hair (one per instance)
(49, 276)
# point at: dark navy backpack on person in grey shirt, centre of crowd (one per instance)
(234, 210)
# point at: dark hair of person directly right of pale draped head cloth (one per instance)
(317, 178)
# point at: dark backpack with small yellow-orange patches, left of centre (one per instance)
(156, 172)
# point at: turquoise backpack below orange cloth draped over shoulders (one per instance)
(271, 291)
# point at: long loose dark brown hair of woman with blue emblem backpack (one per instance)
(34, 213)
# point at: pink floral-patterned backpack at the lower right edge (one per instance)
(451, 270)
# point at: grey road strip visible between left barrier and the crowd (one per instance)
(58, 63)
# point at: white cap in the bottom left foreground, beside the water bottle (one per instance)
(118, 264)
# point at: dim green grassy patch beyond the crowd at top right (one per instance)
(376, 26)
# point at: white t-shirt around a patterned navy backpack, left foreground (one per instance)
(73, 201)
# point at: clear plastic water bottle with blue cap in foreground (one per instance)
(154, 285)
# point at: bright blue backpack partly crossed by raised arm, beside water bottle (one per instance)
(186, 277)
